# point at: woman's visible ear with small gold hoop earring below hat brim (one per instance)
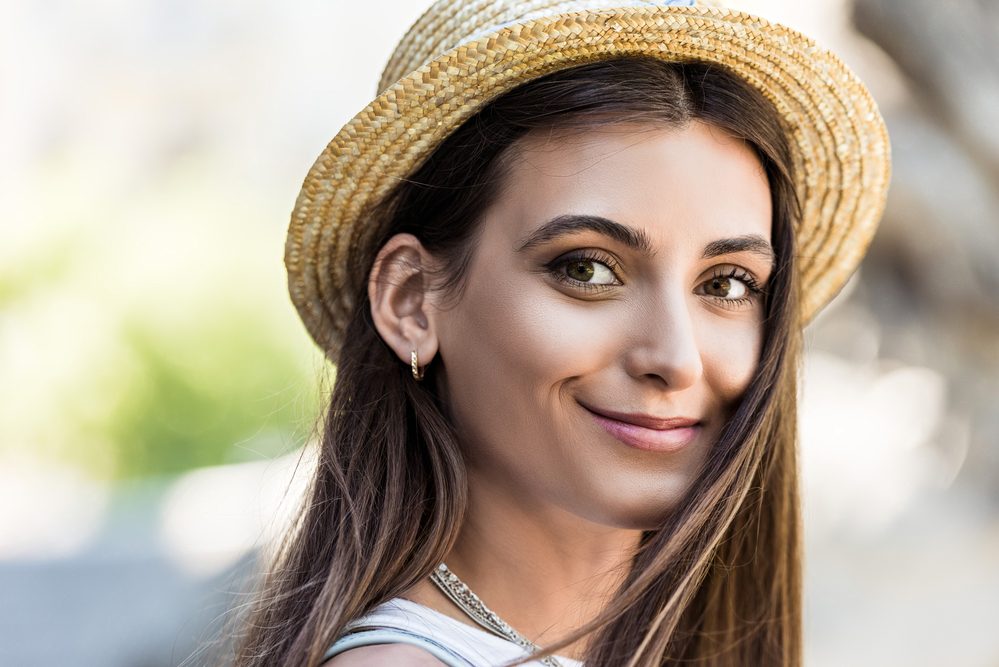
(399, 289)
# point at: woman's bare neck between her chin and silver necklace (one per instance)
(543, 570)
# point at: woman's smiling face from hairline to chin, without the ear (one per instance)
(610, 319)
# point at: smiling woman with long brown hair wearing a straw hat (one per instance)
(561, 264)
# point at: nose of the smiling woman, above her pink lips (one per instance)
(665, 346)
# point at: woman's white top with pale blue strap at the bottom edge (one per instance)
(453, 642)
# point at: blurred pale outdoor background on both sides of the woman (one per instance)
(156, 386)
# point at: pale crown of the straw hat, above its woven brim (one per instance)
(449, 23)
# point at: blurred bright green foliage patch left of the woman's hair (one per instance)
(224, 390)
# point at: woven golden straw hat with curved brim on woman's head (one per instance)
(463, 53)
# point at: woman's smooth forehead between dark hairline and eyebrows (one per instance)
(693, 183)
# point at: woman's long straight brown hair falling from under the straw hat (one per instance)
(717, 584)
